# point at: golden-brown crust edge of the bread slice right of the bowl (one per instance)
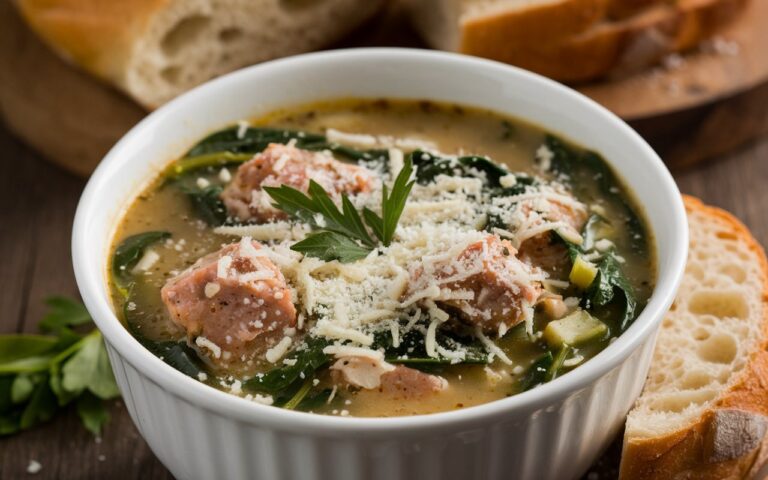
(728, 441)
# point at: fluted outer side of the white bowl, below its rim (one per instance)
(557, 441)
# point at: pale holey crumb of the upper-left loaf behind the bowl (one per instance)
(191, 41)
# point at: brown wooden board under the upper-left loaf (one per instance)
(69, 116)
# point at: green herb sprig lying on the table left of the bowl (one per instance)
(41, 374)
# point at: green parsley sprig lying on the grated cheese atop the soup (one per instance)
(342, 234)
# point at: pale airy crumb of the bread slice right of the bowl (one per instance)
(711, 329)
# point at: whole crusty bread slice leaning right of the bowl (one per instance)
(704, 411)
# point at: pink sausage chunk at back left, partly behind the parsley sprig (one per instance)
(286, 165)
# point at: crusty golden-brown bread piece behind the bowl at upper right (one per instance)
(571, 40)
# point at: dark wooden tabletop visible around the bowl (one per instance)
(37, 204)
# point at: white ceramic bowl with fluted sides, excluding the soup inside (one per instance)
(551, 432)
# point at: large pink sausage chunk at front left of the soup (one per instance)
(232, 302)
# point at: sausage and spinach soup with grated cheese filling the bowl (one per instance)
(381, 258)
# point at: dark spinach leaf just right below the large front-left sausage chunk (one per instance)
(309, 358)
